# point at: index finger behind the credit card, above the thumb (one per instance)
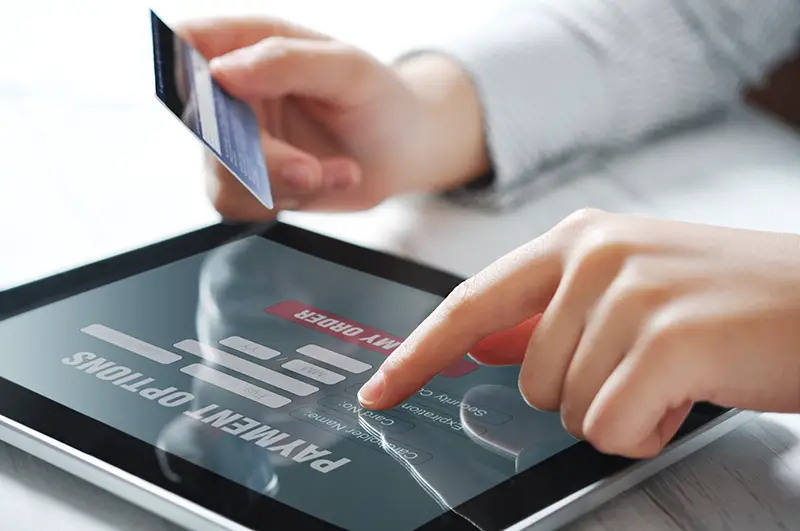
(213, 37)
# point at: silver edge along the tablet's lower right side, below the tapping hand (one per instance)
(589, 498)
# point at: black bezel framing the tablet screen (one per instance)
(514, 500)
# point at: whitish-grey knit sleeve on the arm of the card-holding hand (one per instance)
(562, 79)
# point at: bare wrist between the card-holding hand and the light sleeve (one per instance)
(451, 137)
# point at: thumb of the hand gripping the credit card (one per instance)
(281, 66)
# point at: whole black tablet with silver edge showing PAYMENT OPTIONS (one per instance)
(212, 379)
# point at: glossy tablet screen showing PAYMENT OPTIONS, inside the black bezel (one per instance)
(246, 360)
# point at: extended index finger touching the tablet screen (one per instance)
(501, 296)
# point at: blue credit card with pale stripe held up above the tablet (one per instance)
(224, 124)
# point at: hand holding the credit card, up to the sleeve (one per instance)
(341, 131)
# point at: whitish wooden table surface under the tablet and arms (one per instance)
(91, 165)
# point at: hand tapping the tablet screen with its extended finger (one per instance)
(639, 319)
